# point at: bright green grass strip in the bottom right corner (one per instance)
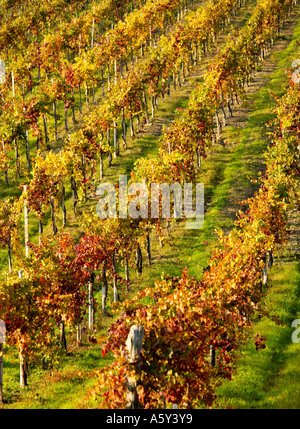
(270, 378)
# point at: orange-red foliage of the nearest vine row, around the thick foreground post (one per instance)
(187, 317)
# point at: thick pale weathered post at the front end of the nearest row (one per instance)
(134, 345)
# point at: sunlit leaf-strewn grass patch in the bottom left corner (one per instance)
(59, 387)
